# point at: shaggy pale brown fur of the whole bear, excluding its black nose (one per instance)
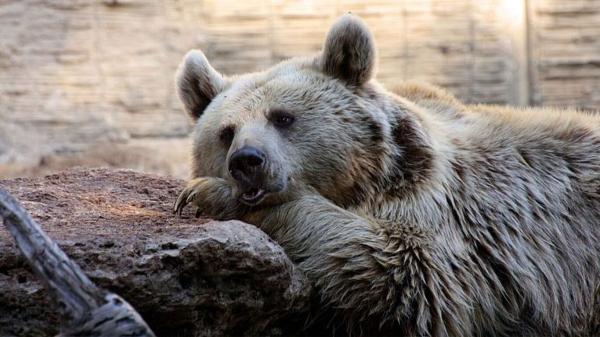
(413, 213)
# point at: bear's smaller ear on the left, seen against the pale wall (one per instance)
(197, 83)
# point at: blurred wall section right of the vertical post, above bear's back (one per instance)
(565, 53)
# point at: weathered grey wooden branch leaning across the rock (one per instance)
(87, 310)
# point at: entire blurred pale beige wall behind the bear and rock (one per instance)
(90, 82)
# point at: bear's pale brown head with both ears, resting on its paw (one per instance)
(273, 131)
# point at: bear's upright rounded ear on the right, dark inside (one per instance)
(349, 51)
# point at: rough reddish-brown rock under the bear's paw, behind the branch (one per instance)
(185, 276)
